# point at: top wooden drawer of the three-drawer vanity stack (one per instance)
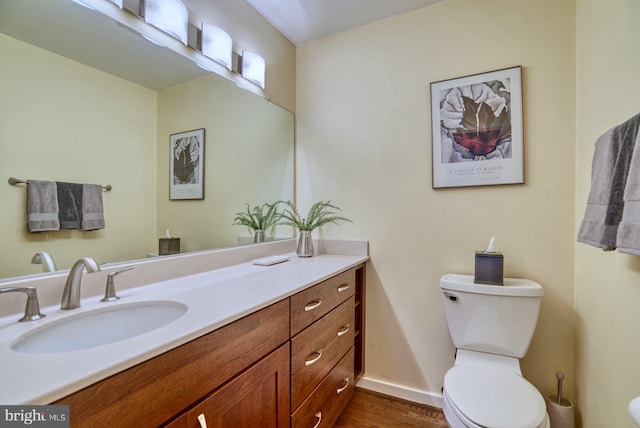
(311, 304)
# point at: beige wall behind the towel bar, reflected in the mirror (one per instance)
(63, 121)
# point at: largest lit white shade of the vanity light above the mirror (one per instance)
(170, 16)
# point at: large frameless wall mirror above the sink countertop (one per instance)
(78, 108)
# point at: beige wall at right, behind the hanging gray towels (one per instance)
(607, 283)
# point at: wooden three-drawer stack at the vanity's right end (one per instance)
(326, 329)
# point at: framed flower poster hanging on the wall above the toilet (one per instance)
(476, 123)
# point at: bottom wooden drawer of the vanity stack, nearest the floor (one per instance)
(323, 407)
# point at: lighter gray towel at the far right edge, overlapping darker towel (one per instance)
(628, 238)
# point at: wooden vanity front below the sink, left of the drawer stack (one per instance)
(153, 392)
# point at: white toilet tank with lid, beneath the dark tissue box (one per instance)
(499, 319)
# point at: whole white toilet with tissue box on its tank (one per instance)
(491, 327)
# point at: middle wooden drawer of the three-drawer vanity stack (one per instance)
(318, 348)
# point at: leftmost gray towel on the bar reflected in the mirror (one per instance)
(42, 206)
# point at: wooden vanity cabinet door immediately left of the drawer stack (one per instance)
(259, 397)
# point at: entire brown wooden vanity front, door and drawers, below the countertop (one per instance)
(292, 364)
